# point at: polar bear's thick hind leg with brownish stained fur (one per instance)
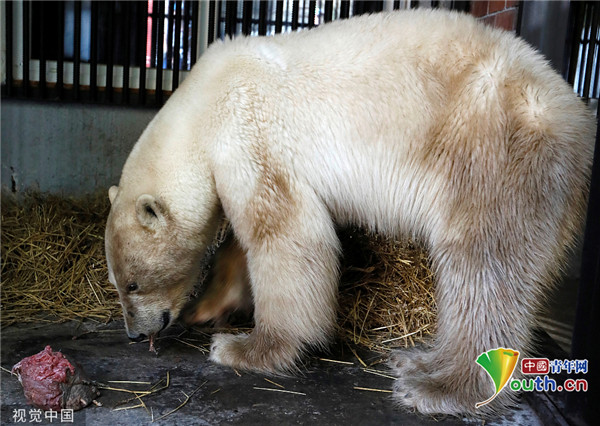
(516, 204)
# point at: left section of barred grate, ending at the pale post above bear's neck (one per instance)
(117, 52)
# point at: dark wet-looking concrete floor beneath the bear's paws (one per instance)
(326, 393)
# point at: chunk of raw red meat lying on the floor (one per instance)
(50, 381)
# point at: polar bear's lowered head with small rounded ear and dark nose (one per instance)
(154, 256)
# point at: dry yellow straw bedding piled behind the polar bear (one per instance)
(53, 269)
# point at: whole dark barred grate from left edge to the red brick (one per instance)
(137, 53)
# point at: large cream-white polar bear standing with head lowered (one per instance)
(418, 123)
